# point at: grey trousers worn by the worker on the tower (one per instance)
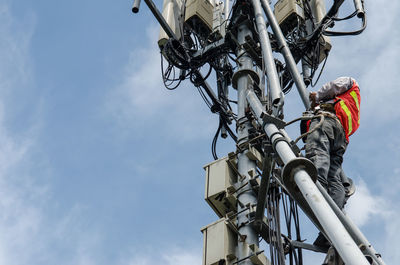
(325, 148)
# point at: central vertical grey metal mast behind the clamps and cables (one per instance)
(247, 197)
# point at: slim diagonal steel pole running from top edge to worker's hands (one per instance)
(290, 62)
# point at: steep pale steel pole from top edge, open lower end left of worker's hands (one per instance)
(269, 61)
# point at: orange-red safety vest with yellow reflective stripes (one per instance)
(347, 108)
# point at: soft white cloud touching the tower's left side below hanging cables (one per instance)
(142, 100)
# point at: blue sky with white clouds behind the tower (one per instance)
(100, 164)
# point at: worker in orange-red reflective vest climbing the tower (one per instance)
(339, 102)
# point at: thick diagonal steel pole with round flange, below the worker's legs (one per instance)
(334, 229)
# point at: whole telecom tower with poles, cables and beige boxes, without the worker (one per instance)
(256, 48)
